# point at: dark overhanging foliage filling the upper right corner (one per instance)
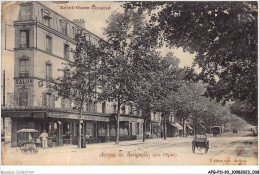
(224, 37)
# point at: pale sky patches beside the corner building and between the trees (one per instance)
(95, 22)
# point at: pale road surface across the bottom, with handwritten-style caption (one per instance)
(227, 149)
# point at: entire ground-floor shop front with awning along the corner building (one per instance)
(63, 127)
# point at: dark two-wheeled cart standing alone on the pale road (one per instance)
(199, 142)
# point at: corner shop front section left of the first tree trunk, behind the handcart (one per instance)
(59, 130)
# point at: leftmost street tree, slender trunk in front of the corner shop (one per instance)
(79, 79)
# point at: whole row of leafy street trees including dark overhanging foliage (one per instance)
(128, 66)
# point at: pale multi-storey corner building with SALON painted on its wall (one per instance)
(43, 41)
